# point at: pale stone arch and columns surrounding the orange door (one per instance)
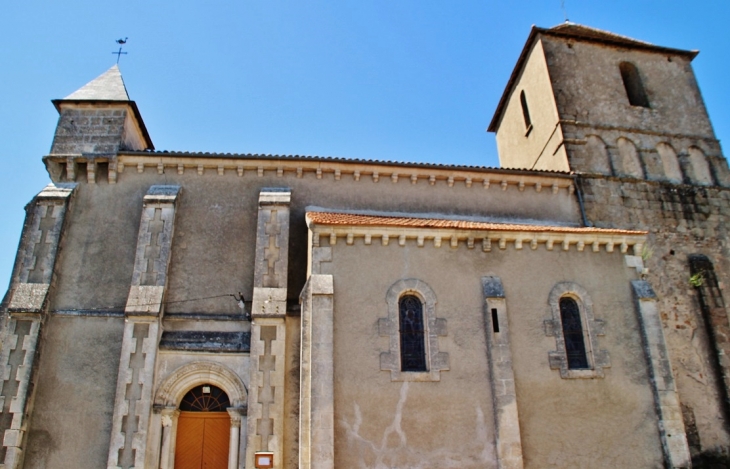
(163, 424)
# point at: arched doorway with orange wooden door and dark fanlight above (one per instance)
(203, 429)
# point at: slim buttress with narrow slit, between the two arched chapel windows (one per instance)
(502, 378)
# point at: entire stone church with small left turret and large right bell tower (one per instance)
(176, 310)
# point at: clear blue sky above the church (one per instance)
(381, 79)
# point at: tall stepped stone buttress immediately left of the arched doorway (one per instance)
(132, 404)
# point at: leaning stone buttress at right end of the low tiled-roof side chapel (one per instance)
(671, 425)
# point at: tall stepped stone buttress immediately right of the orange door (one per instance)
(268, 330)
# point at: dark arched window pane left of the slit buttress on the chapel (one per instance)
(412, 343)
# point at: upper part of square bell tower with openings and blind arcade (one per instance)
(585, 100)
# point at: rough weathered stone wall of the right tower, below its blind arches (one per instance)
(682, 220)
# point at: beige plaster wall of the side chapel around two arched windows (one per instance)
(564, 422)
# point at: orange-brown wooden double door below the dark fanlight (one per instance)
(202, 440)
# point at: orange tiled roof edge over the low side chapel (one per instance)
(348, 219)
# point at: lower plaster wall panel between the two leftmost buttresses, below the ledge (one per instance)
(71, 421)
